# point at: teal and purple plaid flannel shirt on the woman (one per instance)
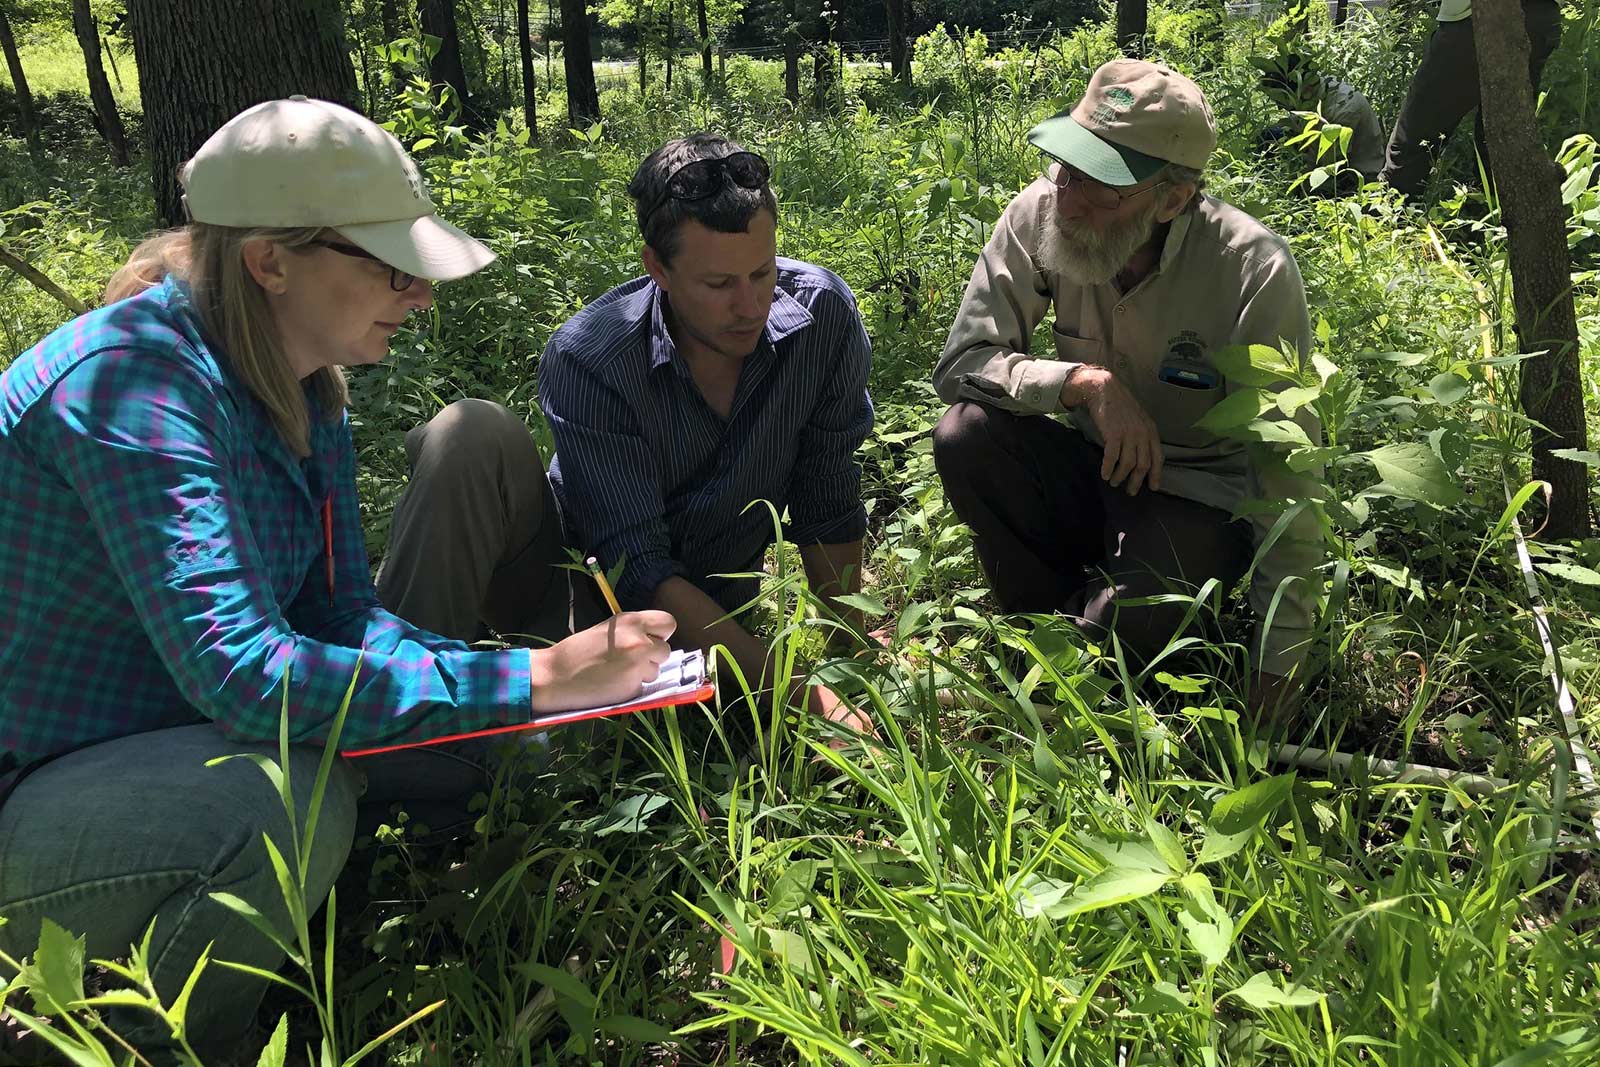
(162, 559)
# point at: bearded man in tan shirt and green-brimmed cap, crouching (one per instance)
(1122, 497)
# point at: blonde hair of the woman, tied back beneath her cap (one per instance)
(236, 316)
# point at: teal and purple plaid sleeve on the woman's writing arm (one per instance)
(148, 447)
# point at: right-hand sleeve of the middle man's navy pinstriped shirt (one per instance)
(825, 490)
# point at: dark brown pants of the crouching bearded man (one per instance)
(1054, 537)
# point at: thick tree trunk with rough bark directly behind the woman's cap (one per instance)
(204, 62)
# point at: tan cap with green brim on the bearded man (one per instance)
(1135, 119)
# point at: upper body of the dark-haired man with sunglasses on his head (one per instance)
(722, 380)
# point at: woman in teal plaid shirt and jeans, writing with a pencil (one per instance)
(182, 559)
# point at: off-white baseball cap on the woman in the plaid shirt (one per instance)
(303, 162)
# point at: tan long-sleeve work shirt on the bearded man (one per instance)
(1223, 279)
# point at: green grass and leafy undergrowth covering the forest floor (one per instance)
(1052, 860)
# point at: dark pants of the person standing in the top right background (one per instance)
(1446, 89)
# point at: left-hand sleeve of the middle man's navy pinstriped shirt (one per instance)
(610, 489)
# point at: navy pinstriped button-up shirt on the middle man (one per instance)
(647, 473)
